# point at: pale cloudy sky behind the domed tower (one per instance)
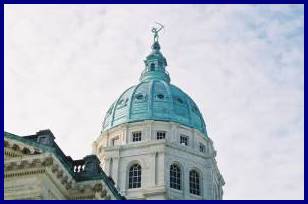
(242, 64)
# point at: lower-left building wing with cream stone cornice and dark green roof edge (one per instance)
(34, 168)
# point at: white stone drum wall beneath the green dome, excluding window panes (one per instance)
(118, 153)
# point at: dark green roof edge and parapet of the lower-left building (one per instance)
(44, 140)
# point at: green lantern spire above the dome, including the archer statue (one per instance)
(155, 62)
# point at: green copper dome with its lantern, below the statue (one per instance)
(154, 98)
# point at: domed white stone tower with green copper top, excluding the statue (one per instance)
(154, 142)
